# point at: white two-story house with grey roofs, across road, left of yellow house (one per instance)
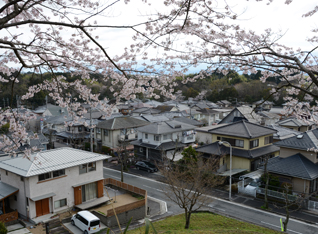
(162, 139)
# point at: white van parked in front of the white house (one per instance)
(86, 221)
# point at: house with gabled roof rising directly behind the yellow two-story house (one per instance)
(242, 113)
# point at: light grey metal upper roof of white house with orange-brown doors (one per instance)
(49, 160)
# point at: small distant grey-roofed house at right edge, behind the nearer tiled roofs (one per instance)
(297, 124)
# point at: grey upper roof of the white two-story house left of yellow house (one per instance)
(166, 127)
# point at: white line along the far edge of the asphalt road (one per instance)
(222, 200)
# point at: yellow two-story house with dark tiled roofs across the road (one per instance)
(249, 143)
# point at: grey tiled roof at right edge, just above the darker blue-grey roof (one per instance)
(304, 141)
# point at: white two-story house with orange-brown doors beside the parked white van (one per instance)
(51, 181)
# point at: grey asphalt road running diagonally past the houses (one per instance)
(224, 207)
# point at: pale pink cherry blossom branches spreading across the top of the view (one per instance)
(50, 36)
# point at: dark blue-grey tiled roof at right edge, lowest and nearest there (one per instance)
(295, 166)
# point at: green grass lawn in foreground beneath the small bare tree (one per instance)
(204, 223)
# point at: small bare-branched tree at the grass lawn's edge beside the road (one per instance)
(188, 181)
